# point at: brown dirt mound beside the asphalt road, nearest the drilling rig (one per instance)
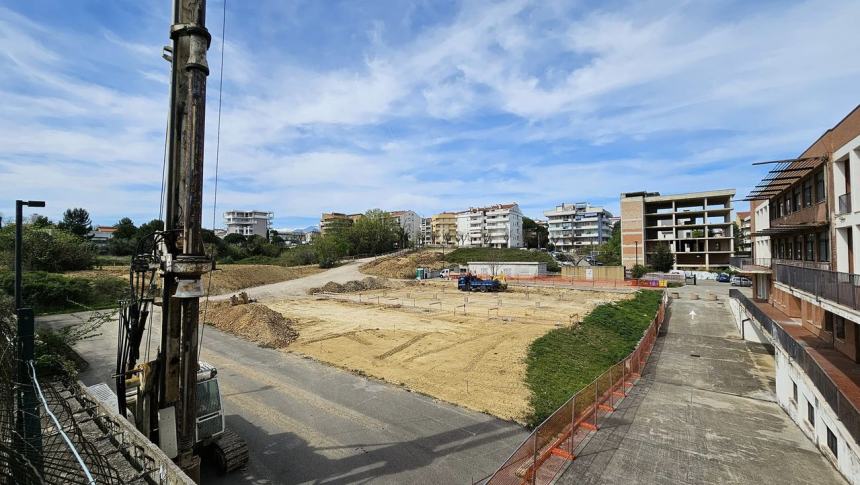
(252, 321)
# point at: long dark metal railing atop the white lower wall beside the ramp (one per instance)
(844, 408)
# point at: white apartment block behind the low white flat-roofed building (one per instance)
(497, 226)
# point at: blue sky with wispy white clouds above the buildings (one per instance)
(423, 105)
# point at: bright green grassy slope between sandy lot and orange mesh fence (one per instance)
(565, 360)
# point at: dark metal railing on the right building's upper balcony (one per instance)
(841, 288)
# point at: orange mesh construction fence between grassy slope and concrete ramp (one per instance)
(553, 444)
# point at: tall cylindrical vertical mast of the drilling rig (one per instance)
(183, 259)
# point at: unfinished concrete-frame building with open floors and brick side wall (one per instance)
(697, 227)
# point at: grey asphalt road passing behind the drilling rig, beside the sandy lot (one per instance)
(307, 422)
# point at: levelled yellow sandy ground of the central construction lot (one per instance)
(420, 337)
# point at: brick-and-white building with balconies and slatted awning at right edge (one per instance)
(805, 231)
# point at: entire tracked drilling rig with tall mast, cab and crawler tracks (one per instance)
(173, 398)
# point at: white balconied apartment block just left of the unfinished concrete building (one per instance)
(579, 226)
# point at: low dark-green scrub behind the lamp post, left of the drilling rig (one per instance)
(57, 293)
